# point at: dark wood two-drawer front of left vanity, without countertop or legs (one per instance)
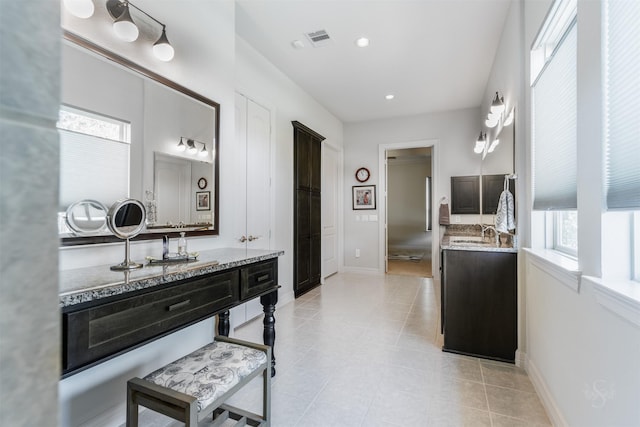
(98, 330)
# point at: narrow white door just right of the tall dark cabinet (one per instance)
(330, 212)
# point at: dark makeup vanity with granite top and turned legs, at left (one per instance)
(106, 313)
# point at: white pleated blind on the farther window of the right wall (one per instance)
(554, 129)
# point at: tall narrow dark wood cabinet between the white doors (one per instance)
(307, 149)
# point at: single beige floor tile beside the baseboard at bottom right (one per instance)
(517, 404)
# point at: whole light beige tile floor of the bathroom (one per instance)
(364, 350)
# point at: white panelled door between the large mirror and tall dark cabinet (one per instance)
(253, 187)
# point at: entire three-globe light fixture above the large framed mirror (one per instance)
(123, 24)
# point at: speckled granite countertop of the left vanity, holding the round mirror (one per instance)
(92, 283)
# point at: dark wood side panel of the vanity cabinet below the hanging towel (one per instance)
(479, 303)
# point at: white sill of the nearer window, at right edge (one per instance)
(621, 297)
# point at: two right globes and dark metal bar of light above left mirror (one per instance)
(127, 30)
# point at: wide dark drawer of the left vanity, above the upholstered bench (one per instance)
(99, 332)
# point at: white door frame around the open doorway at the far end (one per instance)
(382, 192)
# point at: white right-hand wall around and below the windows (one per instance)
(583, 358)
